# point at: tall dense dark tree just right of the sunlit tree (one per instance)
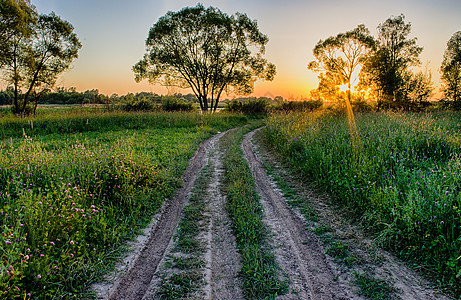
(386, 69)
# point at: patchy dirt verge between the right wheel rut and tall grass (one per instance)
(370, 259)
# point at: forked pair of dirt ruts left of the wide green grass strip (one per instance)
(144, 276)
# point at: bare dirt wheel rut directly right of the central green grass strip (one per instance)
(298, 251)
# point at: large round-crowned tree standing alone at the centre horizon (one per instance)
(205, 50)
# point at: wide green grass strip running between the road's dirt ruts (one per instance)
(259, 269)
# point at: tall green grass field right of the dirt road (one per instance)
(403, 178)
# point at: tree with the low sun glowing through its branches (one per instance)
(339, 58)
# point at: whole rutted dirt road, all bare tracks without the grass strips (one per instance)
(301, 254)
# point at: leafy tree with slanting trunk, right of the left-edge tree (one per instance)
(50, 52)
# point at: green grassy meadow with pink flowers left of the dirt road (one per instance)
(75, 186)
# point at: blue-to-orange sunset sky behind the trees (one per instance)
(113, 34)
